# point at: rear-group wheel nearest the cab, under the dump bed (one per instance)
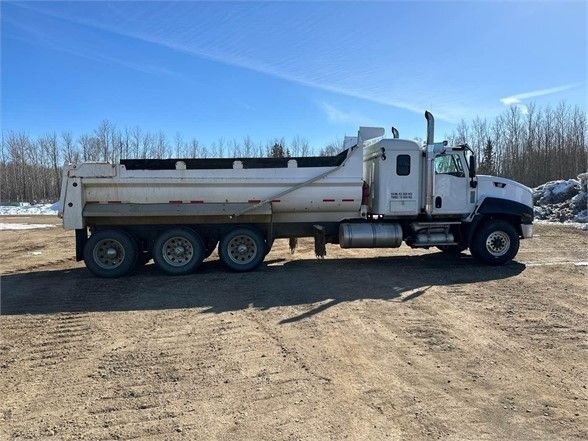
(242, 249)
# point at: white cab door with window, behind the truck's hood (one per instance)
(450, 185)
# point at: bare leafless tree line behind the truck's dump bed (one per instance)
(30, 168)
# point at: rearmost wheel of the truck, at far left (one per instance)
(110, 253)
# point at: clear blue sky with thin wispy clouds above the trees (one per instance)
(266, 69)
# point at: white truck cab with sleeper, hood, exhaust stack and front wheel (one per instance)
(435, 194)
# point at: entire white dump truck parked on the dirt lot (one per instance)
(377, 193)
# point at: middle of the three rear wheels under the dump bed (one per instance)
(178, 251)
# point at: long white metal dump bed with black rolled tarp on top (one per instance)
(308, 189)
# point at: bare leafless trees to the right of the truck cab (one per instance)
(529, 144)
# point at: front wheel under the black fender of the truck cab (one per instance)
(495, 243)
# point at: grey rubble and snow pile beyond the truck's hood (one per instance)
(562, 201)
